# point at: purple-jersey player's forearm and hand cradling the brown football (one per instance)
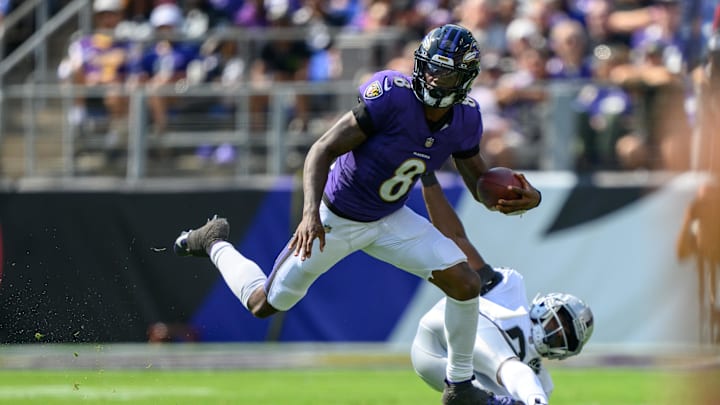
(472, 167)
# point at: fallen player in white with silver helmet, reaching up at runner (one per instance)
(511, 336)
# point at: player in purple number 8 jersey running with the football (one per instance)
(356, 180)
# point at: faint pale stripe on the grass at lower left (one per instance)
(123, 393)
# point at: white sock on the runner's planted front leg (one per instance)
(461, 319)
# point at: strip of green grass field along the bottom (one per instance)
(576, 386)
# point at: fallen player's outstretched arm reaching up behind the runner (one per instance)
(443, 216)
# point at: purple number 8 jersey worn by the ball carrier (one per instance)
(373, 180)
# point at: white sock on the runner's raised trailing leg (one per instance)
(241, 274)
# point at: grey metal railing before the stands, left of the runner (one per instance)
(45, 127)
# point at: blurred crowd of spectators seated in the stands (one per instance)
(634, 65)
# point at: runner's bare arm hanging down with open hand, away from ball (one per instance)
(342, 137)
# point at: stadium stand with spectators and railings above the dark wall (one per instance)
(210, 131)
